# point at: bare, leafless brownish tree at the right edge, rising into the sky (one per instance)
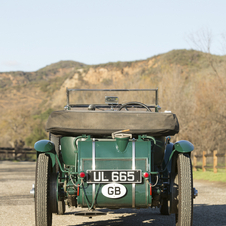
(211, 94)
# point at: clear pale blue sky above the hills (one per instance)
(34, 34)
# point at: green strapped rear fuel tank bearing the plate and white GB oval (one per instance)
(102, 158)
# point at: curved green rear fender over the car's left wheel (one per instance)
(47, 147)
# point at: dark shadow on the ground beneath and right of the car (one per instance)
(208, 215)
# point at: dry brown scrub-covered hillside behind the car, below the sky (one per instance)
(191, 84)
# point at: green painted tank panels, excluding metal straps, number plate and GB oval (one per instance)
(109, 158)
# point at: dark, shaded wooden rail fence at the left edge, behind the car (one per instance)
(7, 153)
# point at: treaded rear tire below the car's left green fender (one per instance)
(43, 214)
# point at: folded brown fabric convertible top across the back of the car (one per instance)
(102, 123)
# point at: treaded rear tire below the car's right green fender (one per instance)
(184, 182)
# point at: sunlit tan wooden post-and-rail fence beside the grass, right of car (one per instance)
(204, 156)
